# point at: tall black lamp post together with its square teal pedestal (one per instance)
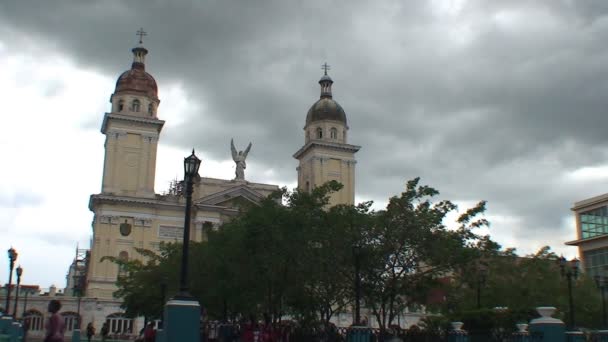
(183, 312)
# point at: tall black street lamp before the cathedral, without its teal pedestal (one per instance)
(191, 165)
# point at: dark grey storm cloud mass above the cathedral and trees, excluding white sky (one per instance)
(495, 100)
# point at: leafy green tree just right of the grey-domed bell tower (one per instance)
(408, 248)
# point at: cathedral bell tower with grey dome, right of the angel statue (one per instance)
(326, 155)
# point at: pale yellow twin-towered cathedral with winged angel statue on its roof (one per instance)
(128, 213)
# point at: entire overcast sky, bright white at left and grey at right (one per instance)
(499, 100)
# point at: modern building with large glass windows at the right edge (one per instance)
(592, 234)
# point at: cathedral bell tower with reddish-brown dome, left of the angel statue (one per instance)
(132, 130)
